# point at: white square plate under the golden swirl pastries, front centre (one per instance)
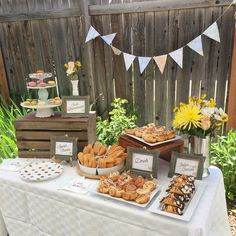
(153, 193)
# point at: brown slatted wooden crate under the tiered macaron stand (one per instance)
(33, 134)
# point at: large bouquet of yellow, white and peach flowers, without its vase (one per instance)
(199, 117)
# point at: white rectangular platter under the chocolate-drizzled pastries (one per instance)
(189, 207)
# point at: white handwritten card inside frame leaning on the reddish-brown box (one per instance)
(142, 162)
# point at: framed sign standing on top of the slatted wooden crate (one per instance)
(75, 106)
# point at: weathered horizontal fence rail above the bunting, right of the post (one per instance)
(153, 6)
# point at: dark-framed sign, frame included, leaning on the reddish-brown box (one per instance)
(143, 162)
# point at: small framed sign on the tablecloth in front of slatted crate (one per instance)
(63, 148)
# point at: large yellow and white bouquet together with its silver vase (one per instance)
(199, 120)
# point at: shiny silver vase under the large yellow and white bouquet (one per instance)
(201, 146)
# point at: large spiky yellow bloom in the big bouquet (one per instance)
(188, 117)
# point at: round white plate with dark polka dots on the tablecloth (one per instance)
(41, 171)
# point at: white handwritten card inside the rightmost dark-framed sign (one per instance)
(187, 167)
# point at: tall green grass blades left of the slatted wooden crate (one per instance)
(8, 147)
